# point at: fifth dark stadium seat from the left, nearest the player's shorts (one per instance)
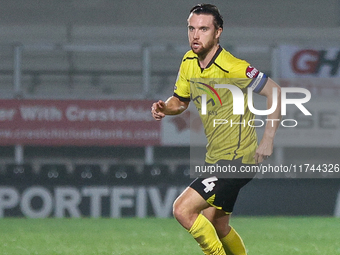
(156, 174)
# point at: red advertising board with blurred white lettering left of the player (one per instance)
(78, 122)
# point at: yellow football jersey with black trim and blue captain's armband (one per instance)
(230, 136)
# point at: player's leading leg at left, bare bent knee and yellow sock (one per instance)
(187, 210)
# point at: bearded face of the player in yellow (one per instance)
(202, 33)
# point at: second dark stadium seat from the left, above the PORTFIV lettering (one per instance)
(53, 174)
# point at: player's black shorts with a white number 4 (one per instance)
(220, 192)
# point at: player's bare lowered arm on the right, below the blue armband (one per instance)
(265, 148)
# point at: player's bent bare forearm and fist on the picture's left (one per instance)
(172, 106)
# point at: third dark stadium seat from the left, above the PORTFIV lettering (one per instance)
(87, 174)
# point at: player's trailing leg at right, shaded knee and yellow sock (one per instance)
(231, 241)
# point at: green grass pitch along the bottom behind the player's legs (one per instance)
(132, 236)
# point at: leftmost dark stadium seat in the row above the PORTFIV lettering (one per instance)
(19, 174)
